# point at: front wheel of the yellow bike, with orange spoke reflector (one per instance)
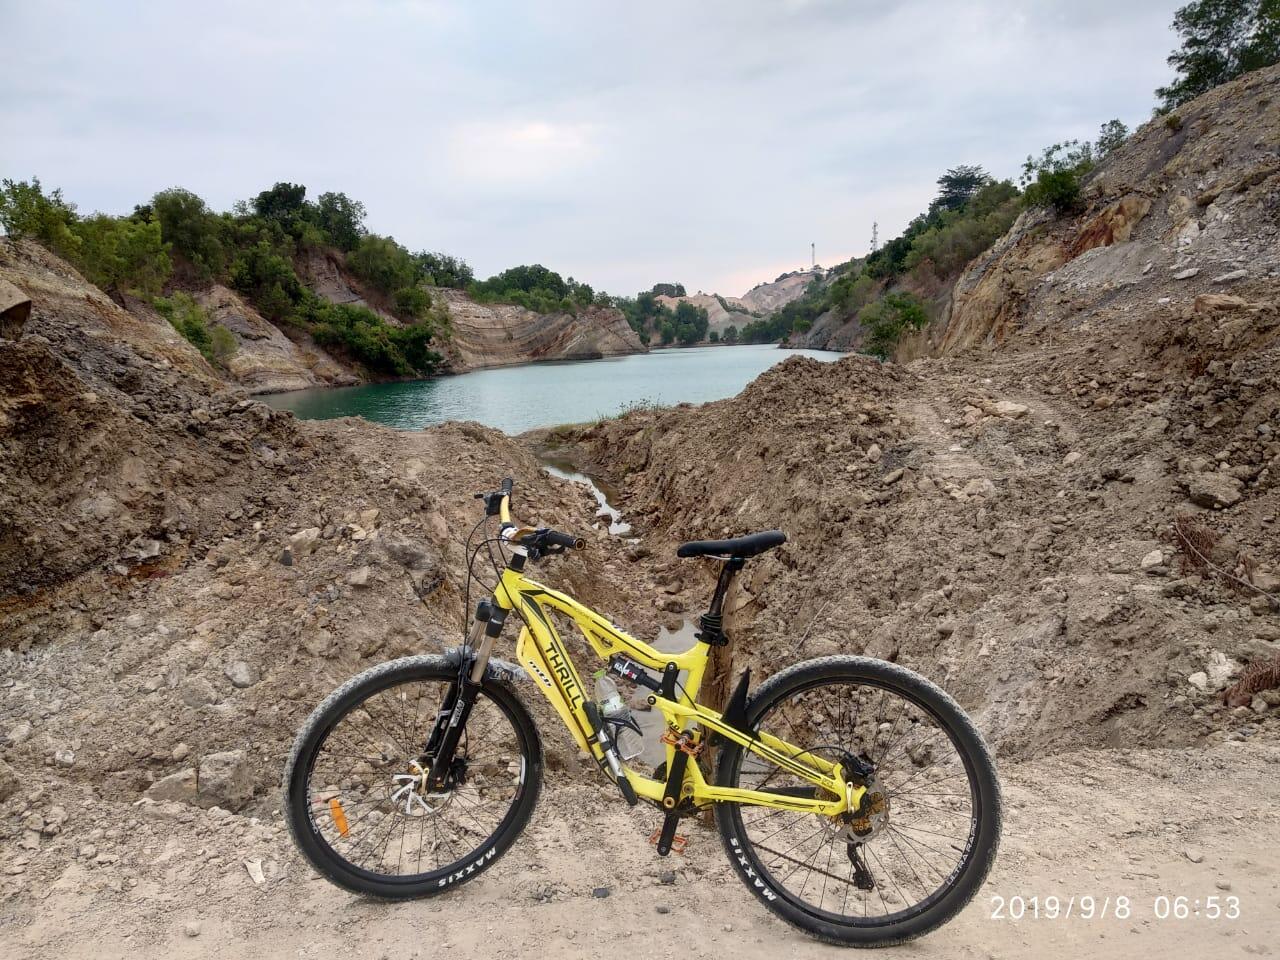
(356, 797)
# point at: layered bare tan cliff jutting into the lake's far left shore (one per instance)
(502, 335)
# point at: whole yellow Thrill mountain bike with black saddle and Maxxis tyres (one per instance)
(853, 797)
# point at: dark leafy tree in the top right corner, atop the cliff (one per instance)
(1222, 40)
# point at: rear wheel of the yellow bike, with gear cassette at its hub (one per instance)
(926, 836)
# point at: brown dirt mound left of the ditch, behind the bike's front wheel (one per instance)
(186, 573)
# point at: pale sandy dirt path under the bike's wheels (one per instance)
(1136, 825)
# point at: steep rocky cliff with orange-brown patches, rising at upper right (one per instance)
(1186, 209)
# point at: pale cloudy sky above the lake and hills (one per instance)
(705, 143)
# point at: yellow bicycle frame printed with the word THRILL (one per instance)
(542, 653)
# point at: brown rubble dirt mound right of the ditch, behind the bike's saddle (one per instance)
(1003, 525)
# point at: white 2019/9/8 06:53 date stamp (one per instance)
(1089, 907)
